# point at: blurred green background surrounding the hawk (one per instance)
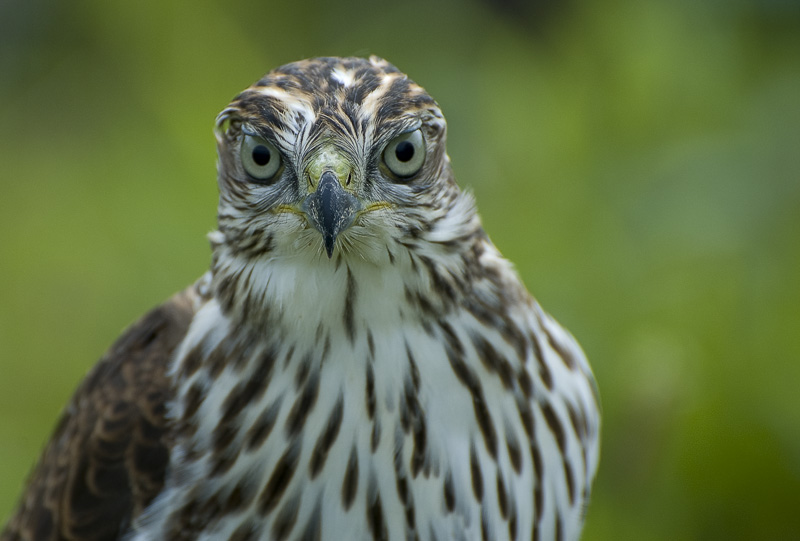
(638, 160)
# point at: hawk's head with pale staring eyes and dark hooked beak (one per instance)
(334, 157)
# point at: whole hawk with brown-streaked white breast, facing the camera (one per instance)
(359, 362)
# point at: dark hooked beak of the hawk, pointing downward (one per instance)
(330, 209)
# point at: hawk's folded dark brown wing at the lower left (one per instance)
(107, 457)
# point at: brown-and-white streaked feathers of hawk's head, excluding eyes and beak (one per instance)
(328, 114)
